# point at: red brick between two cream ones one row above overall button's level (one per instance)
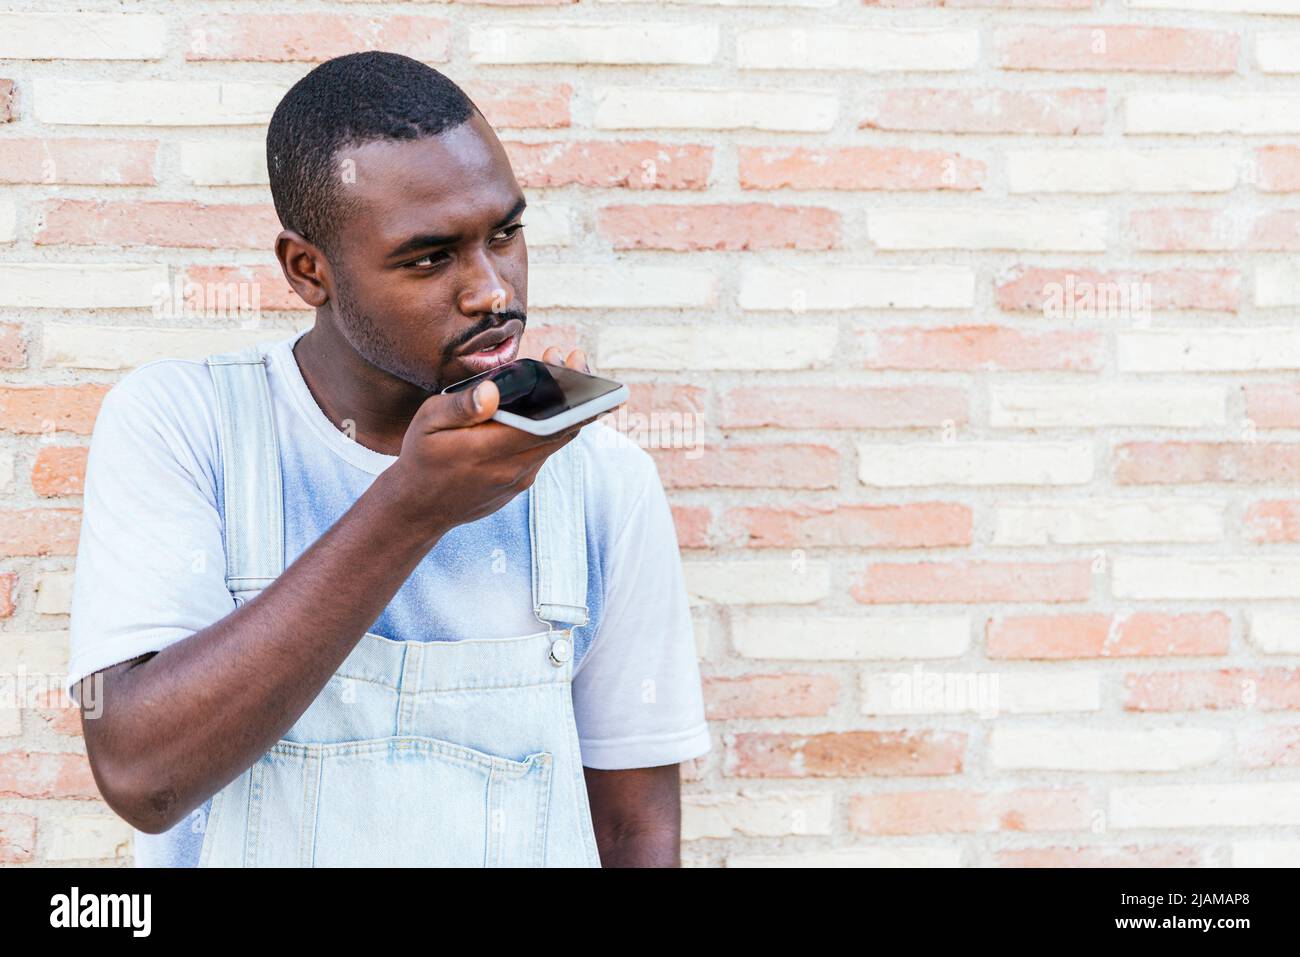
(974, 582)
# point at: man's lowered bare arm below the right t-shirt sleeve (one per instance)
(636, 816)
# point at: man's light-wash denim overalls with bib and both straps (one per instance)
(415, 754)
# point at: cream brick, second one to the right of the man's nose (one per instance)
(856, 288)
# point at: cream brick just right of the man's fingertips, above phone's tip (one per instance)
(734, 347)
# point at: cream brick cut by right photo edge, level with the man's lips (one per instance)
(1210, 350)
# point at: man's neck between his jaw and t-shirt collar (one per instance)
(372, 406)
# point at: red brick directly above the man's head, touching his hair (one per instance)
(291, 37)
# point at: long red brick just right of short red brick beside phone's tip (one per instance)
(846, 408)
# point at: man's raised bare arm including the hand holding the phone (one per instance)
(180, 725)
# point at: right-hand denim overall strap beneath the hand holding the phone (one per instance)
(557, 526)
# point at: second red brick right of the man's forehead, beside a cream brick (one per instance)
(856, 168)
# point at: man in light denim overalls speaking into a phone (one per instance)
(330, 629)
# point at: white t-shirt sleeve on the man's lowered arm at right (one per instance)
(638, 696)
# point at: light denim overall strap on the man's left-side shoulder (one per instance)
(250, 469)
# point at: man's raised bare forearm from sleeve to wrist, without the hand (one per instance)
(183, 724)
